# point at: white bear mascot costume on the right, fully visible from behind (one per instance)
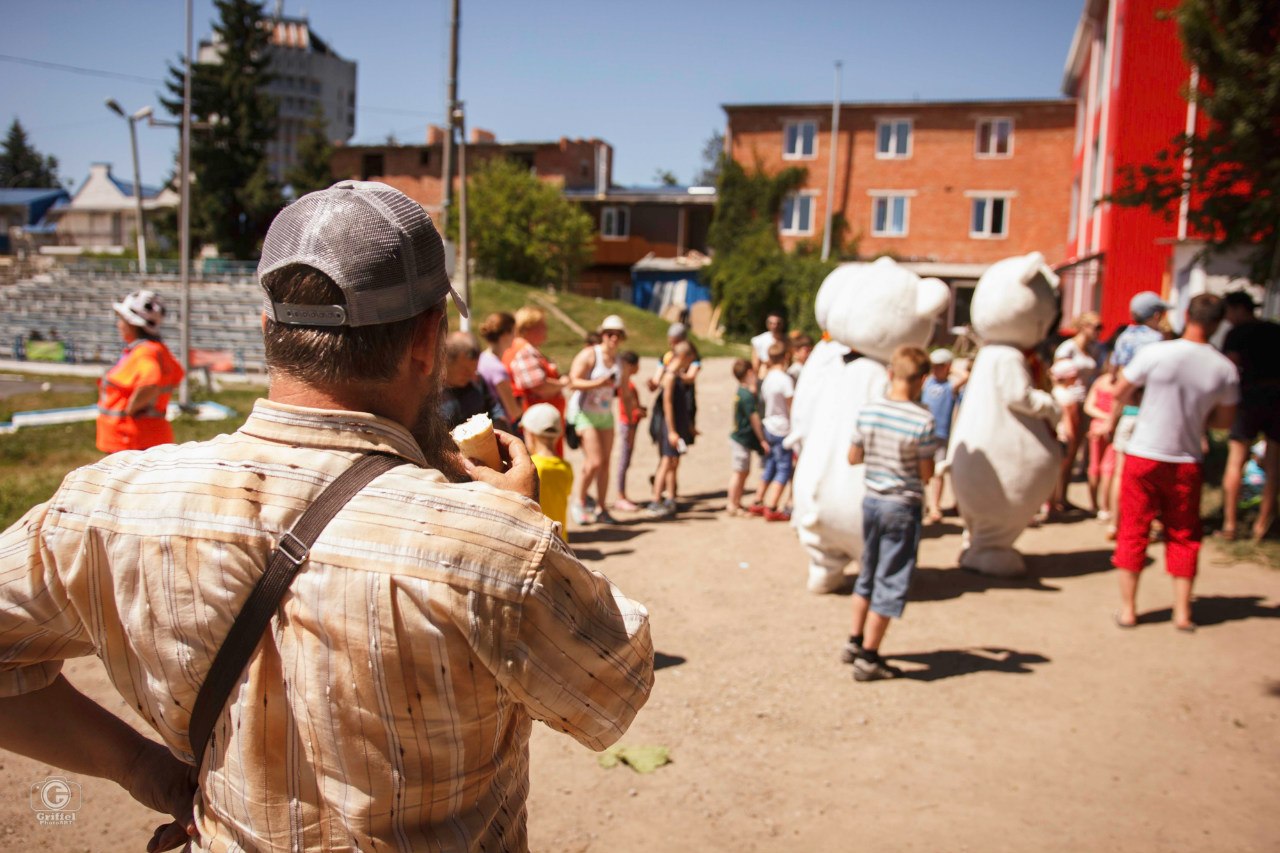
(1004, 453)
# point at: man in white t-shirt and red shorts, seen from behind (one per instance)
(1190, 386)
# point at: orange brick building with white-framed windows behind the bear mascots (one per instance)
(947, 188)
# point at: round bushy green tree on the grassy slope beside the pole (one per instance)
(522, 229)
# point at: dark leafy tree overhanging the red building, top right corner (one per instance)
(1235, 176)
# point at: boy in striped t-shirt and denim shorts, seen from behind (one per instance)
(895, 439)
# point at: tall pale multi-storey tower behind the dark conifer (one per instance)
(308, 76)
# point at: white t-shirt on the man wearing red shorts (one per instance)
(1185, 382)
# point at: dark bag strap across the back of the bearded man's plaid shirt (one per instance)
(282, 567)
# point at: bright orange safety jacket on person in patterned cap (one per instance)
(144, 363)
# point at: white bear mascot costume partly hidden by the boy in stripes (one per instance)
(871, 309)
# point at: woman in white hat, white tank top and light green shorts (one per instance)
(595, 380)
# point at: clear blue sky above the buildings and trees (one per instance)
(648, 77)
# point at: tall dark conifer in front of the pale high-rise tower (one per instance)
(234, 195)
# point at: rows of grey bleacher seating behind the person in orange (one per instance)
(226, 313)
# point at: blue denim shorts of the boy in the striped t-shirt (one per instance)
(892, 537)
